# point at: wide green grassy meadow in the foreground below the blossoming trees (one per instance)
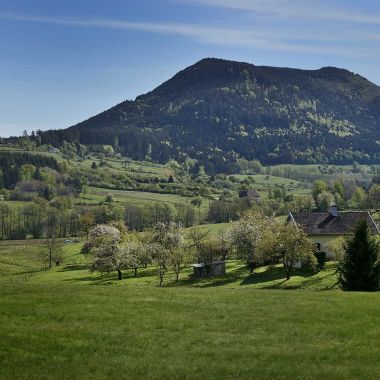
(67, 323)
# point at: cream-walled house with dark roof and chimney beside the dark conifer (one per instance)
(324, 227)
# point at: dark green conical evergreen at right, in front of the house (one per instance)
(359, 269)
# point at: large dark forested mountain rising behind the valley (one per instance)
(217, 111)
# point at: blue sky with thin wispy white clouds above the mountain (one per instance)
(63, 61)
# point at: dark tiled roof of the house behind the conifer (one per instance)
(324, 223)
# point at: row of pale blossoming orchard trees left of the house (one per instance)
(255, 238)
